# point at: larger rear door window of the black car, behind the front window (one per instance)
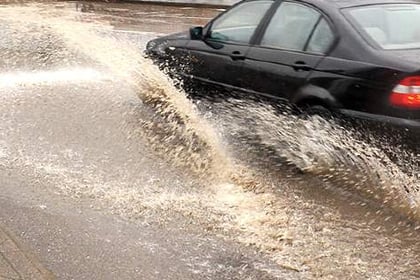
(290, 27)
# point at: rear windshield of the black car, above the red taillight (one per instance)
(392, 26)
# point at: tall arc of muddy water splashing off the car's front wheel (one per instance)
(177, 131)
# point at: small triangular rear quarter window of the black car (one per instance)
(322, 38)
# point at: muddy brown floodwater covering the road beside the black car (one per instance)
(84, 113)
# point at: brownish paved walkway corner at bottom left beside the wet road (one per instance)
(16, 263)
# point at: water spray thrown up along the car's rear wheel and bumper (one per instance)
(326, 149)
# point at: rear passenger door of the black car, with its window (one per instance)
(280, 62)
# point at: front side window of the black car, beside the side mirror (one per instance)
(239, 23)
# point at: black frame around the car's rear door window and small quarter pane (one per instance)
(323, 15)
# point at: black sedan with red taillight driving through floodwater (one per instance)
(359, 58)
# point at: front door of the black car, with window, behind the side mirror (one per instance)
(219, 56)
